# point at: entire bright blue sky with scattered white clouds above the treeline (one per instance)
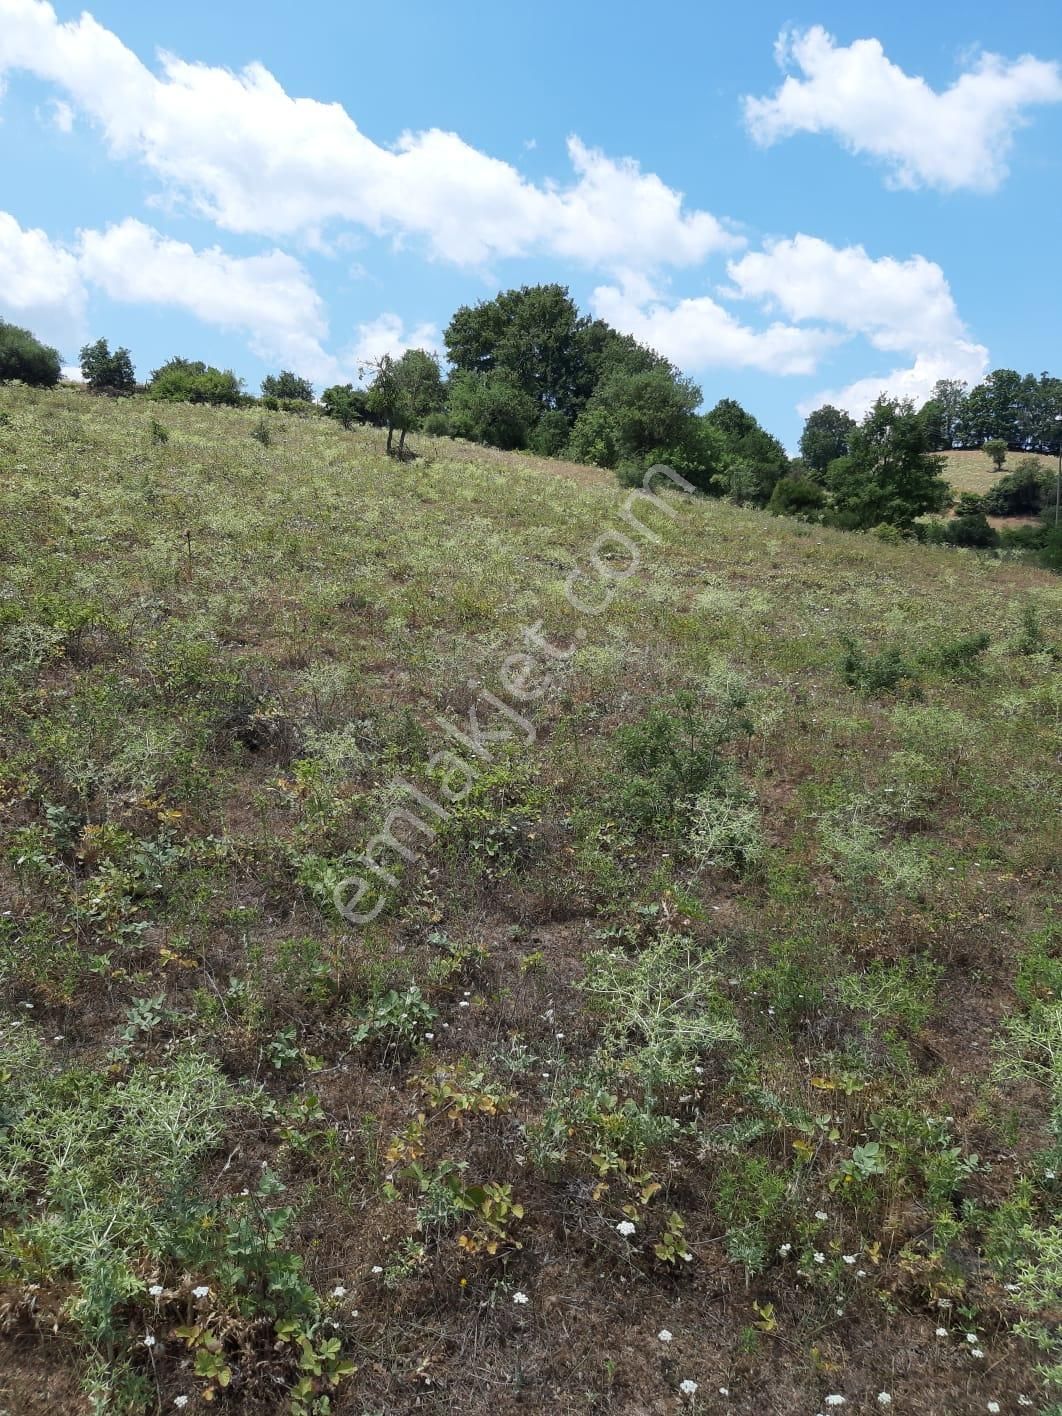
(791, 205)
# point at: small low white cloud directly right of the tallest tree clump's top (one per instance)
(699, 333)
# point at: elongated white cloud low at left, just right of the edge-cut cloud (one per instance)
(270, 298)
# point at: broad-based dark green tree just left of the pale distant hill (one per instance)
(891, 476)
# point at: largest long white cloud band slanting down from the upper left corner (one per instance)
(254, 159)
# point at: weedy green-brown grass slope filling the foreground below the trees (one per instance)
(713, 1040)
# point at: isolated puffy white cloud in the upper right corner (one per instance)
(954, 139)
